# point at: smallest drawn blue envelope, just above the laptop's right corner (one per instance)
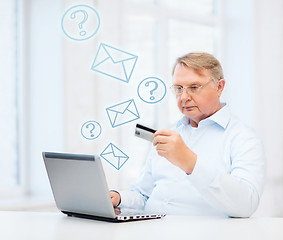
(114, 156)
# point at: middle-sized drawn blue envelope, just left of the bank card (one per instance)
(122, 113)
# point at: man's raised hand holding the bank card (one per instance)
(169, 144)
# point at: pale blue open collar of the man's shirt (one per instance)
(221, 117)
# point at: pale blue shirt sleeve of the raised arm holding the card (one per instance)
(238, 192)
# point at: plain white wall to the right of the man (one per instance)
(253, 60)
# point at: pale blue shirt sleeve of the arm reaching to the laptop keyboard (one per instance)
(140, 190)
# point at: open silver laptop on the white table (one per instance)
(80, 189)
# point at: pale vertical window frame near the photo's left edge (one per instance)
(21, 92)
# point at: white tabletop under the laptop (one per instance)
(40, 225)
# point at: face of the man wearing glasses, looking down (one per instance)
(200, 105)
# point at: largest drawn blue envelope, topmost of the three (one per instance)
(114, 63)
